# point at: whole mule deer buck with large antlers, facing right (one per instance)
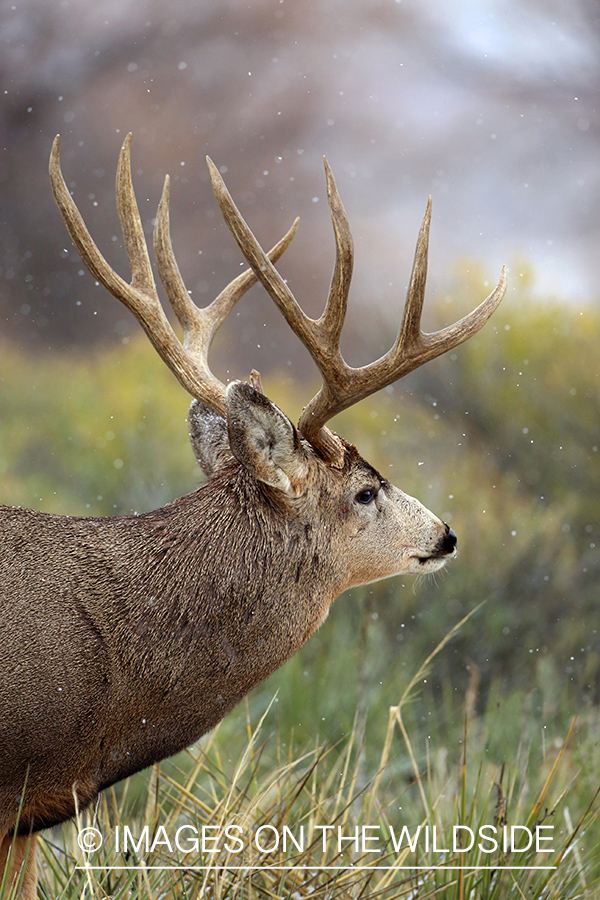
(125, 639)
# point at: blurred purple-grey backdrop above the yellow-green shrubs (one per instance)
(492, 107)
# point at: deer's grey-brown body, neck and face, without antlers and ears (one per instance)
(142, 632)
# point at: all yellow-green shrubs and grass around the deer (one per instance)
(500, 438)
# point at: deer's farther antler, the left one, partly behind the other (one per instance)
(187, 359)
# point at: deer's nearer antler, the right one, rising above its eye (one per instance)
(344, 385)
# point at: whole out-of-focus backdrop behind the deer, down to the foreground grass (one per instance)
(492, 107)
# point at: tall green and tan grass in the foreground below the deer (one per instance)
(261, 818)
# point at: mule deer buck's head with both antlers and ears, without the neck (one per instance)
(238, 420)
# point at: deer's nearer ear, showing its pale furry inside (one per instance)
(263, 439)
